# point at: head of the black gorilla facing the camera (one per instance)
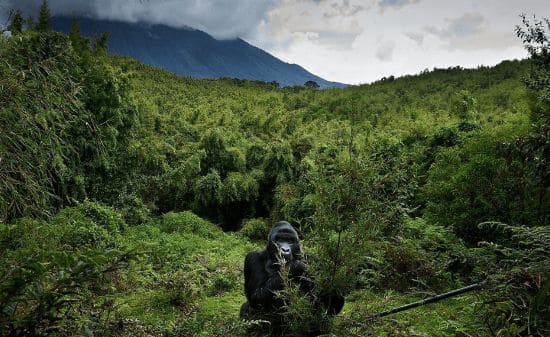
(283, 242)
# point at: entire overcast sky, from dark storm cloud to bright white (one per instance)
(350, 41)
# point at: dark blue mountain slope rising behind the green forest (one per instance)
(194, 53)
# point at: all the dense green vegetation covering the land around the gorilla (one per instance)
(129, 196)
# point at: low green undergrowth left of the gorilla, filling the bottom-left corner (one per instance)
(86, 272)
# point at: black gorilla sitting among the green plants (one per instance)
(262, 278)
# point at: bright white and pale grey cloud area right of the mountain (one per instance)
(468, 33)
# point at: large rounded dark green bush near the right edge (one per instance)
(482, 180)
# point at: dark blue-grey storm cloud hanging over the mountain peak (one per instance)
(220, 18)
